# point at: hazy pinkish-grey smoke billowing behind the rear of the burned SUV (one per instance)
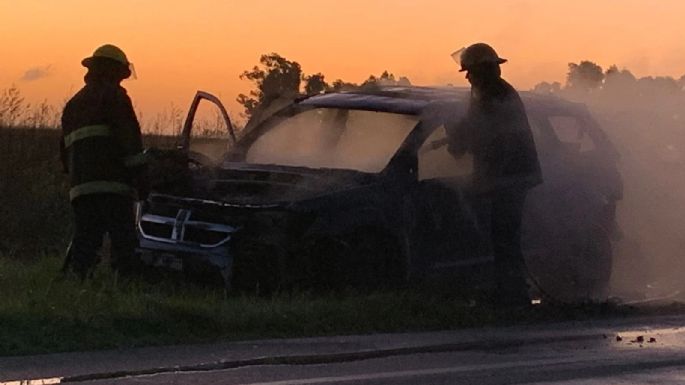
(645, 119)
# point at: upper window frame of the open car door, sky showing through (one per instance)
(204, 139)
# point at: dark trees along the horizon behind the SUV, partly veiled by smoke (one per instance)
(277, 77)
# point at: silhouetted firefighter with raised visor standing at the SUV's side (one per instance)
(496, 132)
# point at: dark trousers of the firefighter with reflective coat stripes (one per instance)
(95, 215)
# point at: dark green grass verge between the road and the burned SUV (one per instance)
(42, 314)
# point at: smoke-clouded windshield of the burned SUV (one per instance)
(333, 138)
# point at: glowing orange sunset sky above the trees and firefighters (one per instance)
(180, 46)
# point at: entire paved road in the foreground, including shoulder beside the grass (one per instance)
(640, 351)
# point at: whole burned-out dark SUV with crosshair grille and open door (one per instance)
(357, 188)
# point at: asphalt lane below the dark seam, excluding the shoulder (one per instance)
(592, 361)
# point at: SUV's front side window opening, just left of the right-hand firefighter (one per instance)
(436, 162)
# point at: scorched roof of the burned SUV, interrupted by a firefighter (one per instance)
(413, 100)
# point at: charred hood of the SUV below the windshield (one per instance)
(249, 184)
